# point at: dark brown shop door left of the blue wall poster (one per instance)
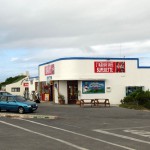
(72, 88)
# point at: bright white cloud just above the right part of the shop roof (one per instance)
(129, 49)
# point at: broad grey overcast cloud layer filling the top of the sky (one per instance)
(69, 23)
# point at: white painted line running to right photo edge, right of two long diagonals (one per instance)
(121, 136)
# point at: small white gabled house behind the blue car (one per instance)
(20, 87)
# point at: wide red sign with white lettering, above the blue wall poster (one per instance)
(109, 67)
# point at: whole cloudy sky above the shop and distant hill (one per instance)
(33, 32)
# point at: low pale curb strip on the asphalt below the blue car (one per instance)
(15, 116)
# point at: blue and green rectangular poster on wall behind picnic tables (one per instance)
(93, 87)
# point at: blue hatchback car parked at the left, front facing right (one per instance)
(17, 104)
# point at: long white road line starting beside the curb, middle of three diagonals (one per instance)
(79, 134)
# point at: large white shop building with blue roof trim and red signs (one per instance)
(90, 78)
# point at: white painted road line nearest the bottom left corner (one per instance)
(47, 136)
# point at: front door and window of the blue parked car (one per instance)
(11, 104)
